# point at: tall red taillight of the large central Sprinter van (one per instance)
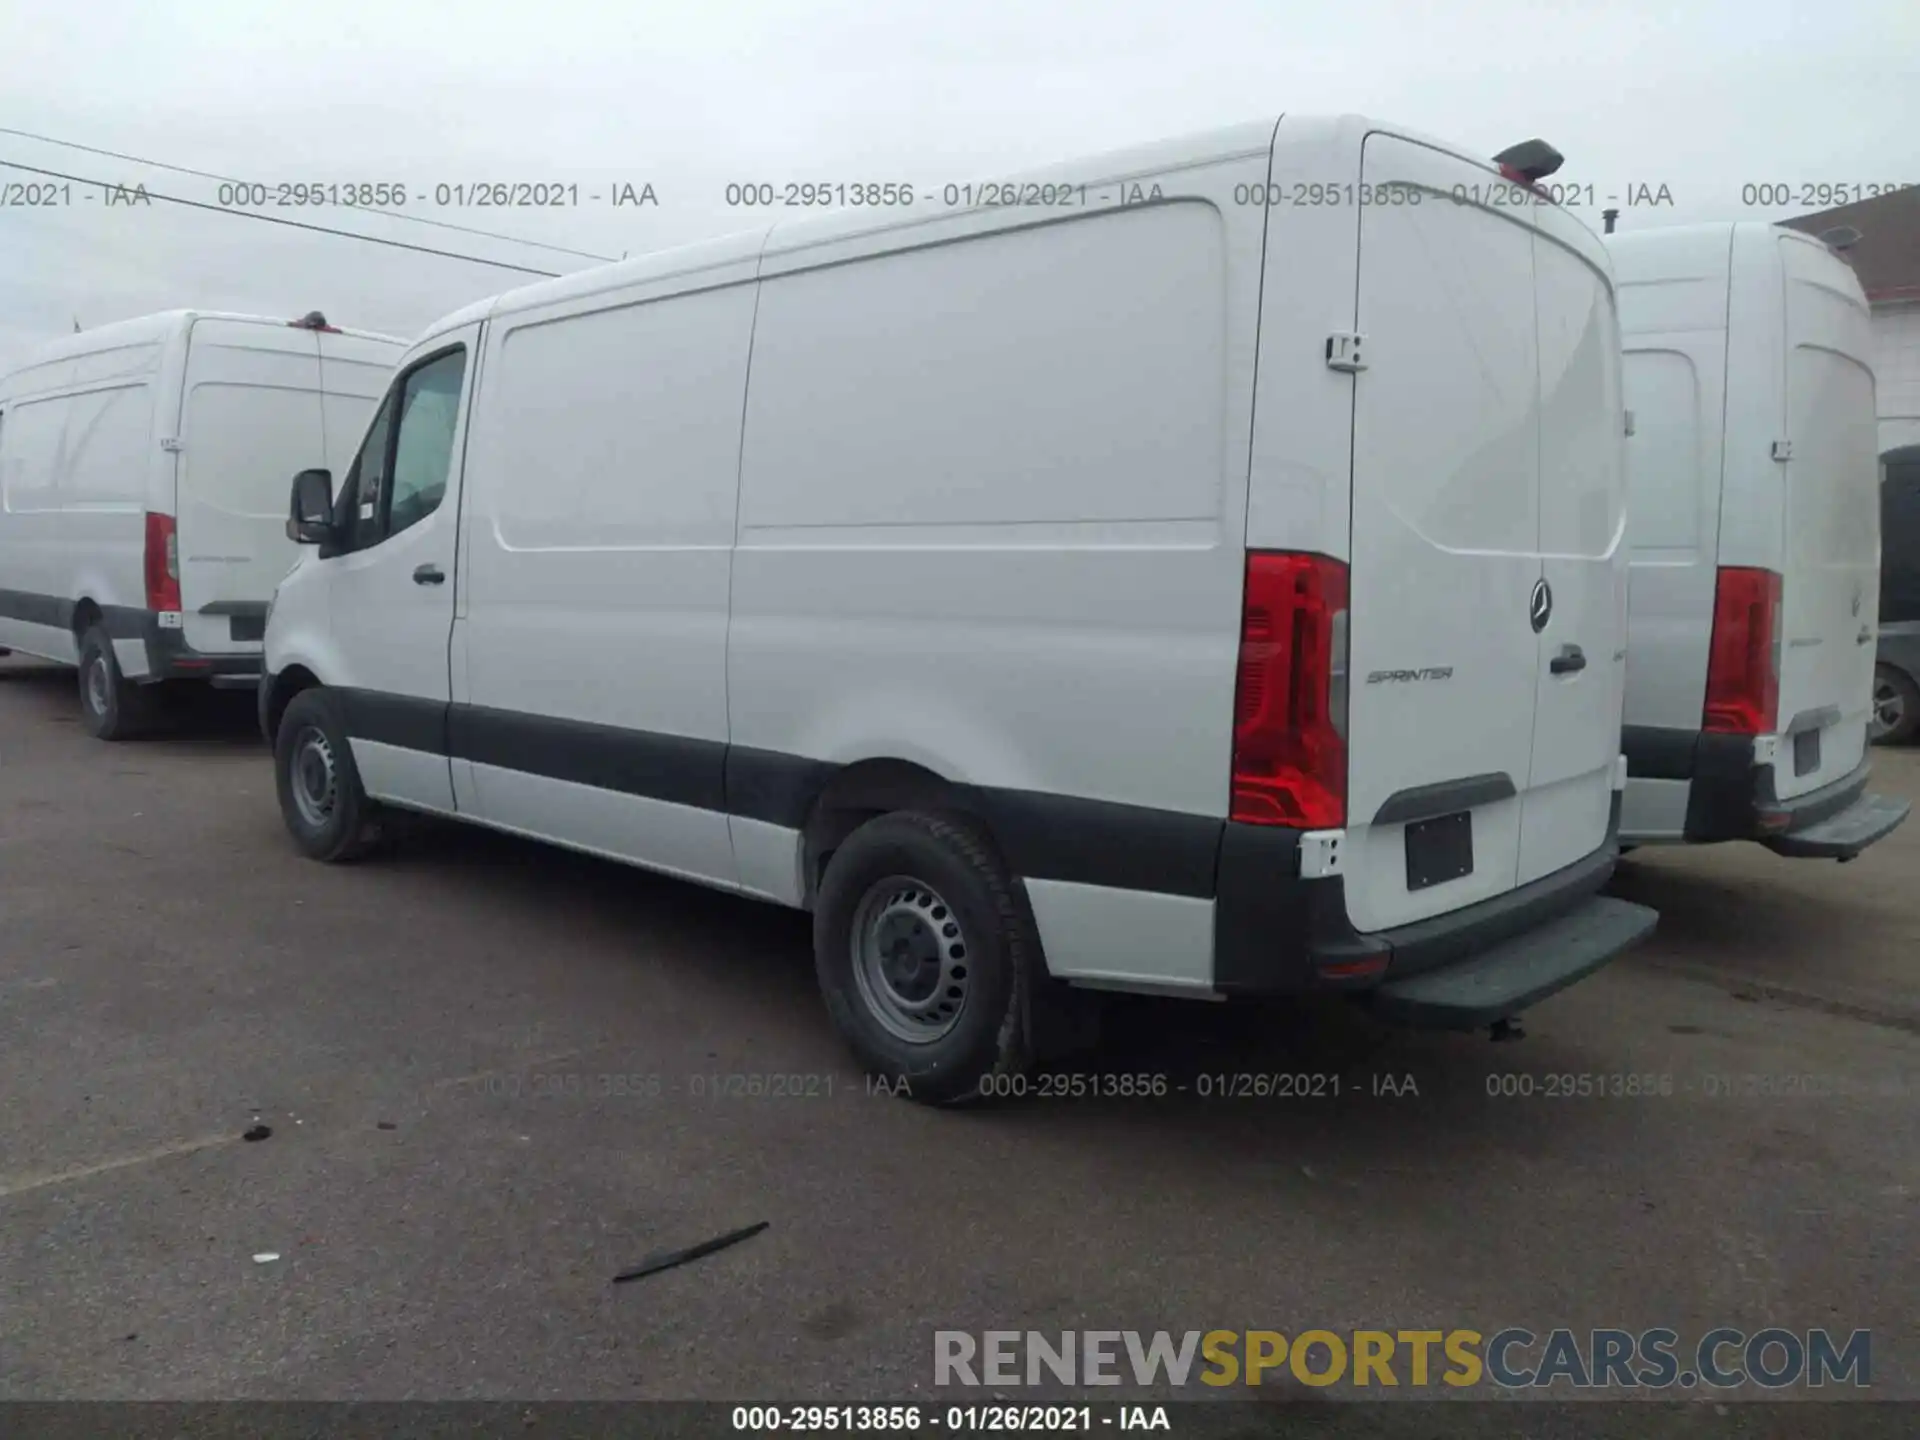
(1289, 711)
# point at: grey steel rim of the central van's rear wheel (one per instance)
(911, 959)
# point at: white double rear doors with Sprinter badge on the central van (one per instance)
(1476, 325)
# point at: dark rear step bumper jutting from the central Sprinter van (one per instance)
(1518, 972)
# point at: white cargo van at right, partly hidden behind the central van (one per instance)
(1756, 542)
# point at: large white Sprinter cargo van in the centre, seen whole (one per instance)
(949, 575)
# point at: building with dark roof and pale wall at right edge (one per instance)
(1888, 262)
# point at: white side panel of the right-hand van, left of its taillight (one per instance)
(1675, 375)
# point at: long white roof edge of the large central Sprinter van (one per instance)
(1107, 168)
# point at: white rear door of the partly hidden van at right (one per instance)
(1831, 527)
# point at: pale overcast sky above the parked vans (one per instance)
(1702, 99)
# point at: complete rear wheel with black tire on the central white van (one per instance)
(934, 892)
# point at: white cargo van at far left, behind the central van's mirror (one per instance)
(143, 477)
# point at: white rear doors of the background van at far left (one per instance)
(251, 420)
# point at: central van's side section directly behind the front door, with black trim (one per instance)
(604, 468)
